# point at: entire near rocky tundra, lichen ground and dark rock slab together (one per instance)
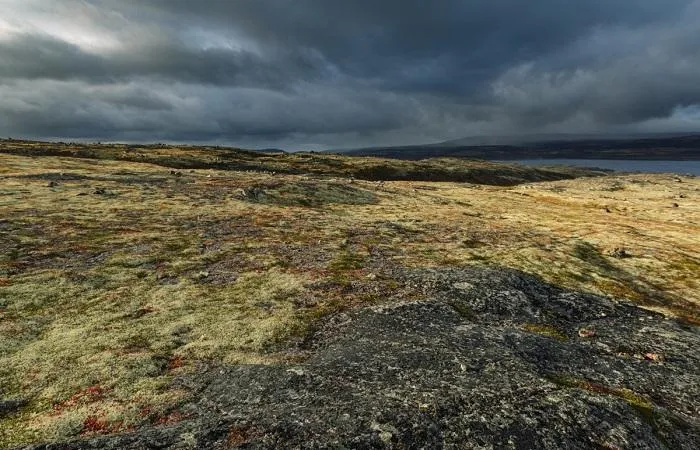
(186, 297)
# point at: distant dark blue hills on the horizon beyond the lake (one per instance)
(666, 146)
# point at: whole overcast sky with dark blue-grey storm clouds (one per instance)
(344, 73)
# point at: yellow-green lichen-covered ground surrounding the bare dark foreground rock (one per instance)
(117, 273)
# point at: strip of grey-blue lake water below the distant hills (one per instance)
(679, 167)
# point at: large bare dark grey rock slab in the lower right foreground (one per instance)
(490, 358)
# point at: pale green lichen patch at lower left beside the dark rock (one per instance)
(91, 341)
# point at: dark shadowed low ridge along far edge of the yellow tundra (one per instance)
(323, 164)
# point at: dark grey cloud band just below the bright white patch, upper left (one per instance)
(58, 60)
